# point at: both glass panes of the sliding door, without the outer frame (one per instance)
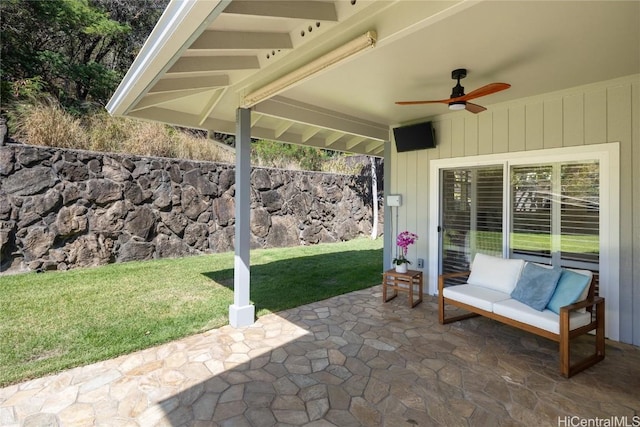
(552, 214)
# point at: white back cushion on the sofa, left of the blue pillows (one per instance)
(491, 272)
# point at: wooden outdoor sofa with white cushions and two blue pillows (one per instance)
(558, 304)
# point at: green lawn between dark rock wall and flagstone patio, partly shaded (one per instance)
(57, 320)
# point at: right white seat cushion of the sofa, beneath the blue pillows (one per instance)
(546, 319)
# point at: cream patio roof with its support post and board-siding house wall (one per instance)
(328, 74)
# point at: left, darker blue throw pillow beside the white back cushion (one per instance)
(536, 285)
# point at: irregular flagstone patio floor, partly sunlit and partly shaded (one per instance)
(347, 361)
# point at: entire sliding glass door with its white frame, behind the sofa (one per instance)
(558, 206)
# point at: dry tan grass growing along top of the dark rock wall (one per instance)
(47, 123)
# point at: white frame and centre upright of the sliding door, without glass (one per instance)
(608, 156)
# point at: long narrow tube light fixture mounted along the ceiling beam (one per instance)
(325, 61)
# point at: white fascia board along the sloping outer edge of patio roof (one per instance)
(181, 22)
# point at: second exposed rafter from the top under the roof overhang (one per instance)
(238, 40)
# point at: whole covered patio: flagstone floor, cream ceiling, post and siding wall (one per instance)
(327, 74)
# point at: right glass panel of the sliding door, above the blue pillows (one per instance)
(555, 213)
